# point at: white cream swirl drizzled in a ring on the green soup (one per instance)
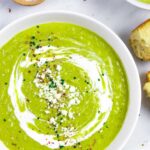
(25, 117)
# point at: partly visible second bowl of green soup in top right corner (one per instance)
(145, 4)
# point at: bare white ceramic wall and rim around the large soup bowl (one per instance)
(120, 48)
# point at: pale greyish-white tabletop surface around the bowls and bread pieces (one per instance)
(120, 16)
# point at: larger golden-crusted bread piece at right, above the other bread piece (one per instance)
(140, 40)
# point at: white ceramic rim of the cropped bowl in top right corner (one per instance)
(139, 4)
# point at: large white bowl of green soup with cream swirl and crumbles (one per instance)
(67, 82)
